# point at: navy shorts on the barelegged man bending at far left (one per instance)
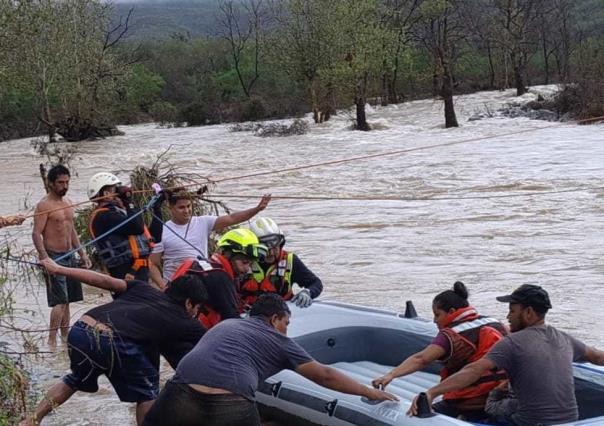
(93, 353)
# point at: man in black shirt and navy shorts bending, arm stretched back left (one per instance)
(115, 339)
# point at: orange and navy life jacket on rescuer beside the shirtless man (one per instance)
(115, 250)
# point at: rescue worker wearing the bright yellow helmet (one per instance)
(237, 249)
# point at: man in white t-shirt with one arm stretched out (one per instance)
(196, 230)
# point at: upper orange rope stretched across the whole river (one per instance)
(332, 162)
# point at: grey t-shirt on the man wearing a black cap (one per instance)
(538, 361)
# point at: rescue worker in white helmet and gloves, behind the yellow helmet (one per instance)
(279, 270)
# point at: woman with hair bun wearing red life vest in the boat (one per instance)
(464, 337)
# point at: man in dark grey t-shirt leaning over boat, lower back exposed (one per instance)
(215, 382)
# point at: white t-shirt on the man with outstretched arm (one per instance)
(174, 250)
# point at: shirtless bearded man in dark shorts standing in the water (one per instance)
(54, 235)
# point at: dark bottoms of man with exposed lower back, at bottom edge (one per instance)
(180, 405)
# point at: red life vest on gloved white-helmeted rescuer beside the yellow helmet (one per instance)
(276, 279)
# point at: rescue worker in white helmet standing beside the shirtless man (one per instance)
(126, 250)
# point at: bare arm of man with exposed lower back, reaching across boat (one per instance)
(333, 379)
